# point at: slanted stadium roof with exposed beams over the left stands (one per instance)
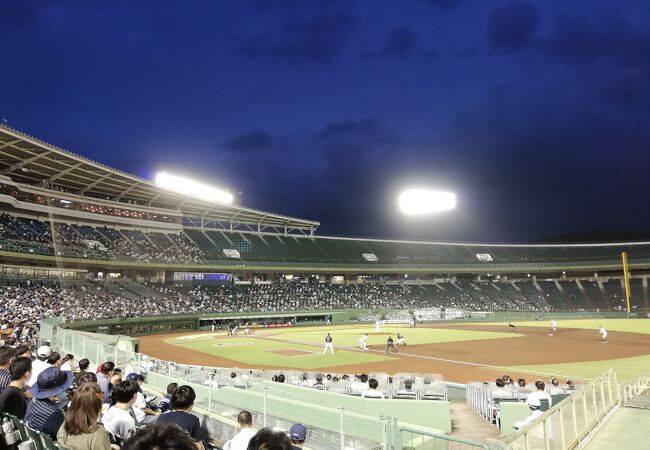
(26, 159)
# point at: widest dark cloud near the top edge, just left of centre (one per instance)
(319, 38)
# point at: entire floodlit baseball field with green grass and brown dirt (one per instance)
(460, 352)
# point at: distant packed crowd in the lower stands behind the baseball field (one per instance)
(21, 307)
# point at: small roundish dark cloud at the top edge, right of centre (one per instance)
(512, 27)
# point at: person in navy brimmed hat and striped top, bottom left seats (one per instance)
(43, 413)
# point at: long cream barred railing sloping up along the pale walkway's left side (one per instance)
(567, 423)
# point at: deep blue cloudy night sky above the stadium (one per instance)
(537, 114)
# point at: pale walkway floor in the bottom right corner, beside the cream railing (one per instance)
(628, 428)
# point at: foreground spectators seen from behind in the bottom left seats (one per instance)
(83, 410)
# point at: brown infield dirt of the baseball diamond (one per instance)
(457, 361)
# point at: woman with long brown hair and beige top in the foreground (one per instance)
(80, 430)
